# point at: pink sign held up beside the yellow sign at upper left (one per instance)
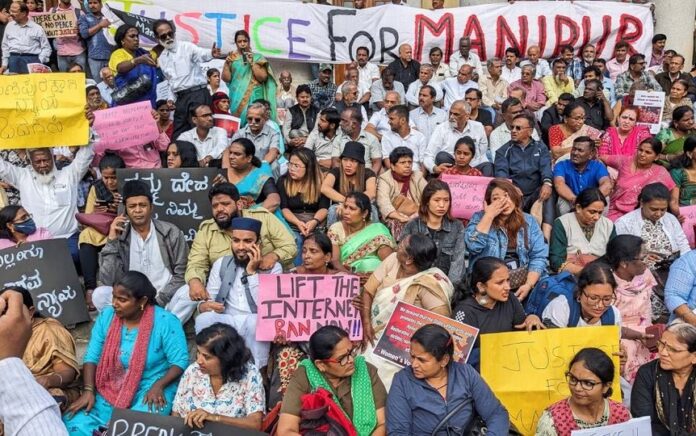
(126, 126)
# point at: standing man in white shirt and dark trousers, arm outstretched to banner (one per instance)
(180, 63)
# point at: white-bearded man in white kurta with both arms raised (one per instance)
(50, 194)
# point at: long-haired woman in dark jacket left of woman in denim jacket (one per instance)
(435, 220)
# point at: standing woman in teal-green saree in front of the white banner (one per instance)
(250, 78)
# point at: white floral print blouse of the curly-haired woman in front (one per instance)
(234, 399)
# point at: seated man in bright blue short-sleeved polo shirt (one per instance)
(581, 171)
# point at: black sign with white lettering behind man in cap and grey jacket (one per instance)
(179, 196)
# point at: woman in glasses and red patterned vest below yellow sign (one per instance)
(590, 376)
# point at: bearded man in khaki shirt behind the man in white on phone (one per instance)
(213, 241)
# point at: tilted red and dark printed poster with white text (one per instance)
(395, 342)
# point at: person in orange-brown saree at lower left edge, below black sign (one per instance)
(50, 354)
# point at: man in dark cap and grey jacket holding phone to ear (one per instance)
(137, 242)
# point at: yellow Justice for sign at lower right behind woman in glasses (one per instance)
(526, 371)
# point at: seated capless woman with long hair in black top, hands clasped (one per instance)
(301, 201)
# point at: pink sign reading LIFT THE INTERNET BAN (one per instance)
(297, 305)
